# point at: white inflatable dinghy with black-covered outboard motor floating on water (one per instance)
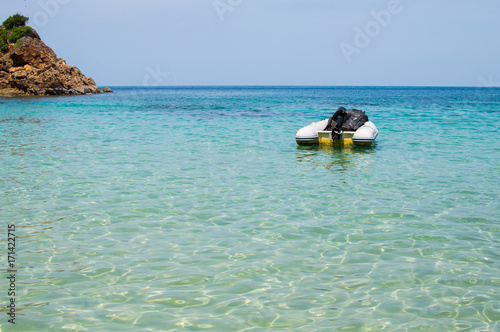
(342, 129)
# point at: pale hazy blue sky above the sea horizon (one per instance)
(273, 42)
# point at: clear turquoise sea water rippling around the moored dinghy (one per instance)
(191, 209)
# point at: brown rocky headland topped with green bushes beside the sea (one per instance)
(28, 67)
